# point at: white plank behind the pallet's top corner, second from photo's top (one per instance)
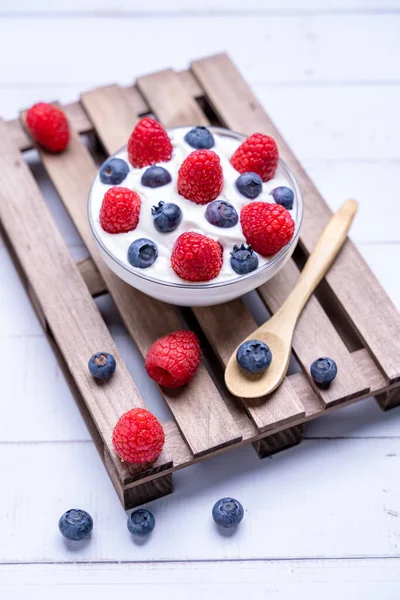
(312, 55)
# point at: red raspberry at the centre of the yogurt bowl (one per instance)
(200, 177)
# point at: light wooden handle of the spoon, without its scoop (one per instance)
(331, 240)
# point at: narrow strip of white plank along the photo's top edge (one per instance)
(97, 7)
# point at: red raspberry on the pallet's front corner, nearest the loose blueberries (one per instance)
(138, 437)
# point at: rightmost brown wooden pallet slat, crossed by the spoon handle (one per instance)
(350, 279)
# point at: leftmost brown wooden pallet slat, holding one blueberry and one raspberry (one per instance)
(64, 299)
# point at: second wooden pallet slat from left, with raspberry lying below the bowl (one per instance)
(205, 425)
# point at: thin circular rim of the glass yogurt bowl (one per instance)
(206, 285)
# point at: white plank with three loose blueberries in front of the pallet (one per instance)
(326, 498)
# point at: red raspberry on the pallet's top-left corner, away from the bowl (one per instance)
(48, 126)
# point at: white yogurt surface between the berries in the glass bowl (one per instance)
(193, 215)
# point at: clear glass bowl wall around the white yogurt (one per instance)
(203, 293)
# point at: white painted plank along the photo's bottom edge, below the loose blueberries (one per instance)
(303, 580)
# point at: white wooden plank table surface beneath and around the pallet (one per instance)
(322, 519)
